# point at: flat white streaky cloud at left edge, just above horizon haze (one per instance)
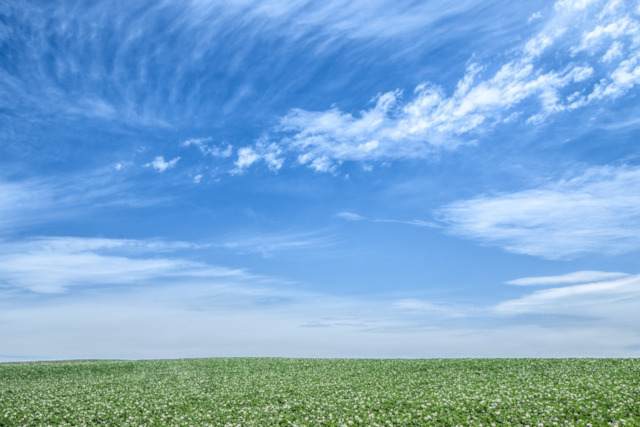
(53, 265)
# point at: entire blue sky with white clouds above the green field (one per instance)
(345, 178)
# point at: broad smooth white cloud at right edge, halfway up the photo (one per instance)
(597, 211)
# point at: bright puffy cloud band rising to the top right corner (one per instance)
(586, 52)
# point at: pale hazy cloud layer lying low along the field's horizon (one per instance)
(193, 321)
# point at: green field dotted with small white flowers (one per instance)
(532, 392)
